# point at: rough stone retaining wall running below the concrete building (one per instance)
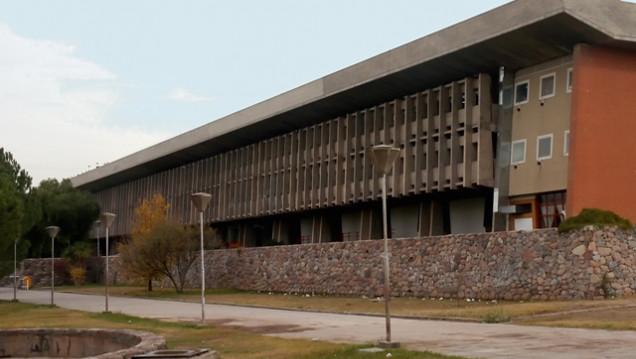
(524, 265)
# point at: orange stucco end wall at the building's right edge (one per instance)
(602, 161)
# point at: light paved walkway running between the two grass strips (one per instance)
(473, 340)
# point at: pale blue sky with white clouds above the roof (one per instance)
(86, 82)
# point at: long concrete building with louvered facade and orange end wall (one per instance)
(511, 119)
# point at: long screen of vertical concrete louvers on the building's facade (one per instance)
(445, 134)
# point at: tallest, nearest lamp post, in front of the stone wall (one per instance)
(382, 157)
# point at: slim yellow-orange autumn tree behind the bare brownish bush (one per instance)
(149, 214)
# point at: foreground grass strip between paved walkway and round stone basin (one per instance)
(230, 343)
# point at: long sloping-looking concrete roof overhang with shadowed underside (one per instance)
(516, 35)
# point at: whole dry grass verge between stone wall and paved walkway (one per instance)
(601, 313)
